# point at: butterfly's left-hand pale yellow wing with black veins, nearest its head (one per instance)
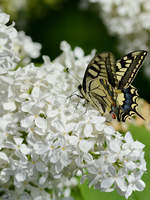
(98, 81)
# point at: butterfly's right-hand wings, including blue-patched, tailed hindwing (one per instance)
(126, 69)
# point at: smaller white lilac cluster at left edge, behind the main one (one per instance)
(15, 47)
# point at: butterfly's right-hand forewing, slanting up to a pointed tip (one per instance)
(127, 68)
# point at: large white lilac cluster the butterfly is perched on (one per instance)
(47, 138)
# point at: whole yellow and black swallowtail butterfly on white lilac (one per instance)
(107, 84)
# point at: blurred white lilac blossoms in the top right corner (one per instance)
(129, 20)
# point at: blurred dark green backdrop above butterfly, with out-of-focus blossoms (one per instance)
(90, 24)
